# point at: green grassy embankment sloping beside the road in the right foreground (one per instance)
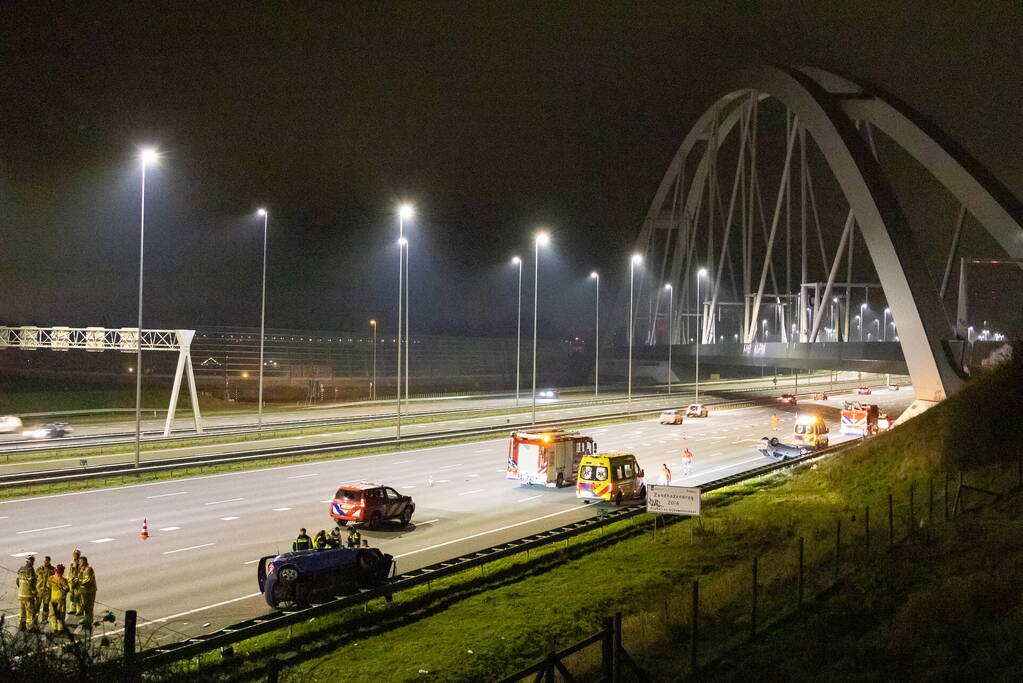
(474, 628)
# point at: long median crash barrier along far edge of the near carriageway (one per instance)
(86, 472)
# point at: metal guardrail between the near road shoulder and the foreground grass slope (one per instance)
(254, 627)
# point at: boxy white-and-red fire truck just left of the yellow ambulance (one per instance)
(549, 459)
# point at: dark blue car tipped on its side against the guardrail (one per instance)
(304, 577)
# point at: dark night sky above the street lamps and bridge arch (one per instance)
(493, 118)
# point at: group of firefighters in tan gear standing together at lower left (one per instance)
(50, 593)
